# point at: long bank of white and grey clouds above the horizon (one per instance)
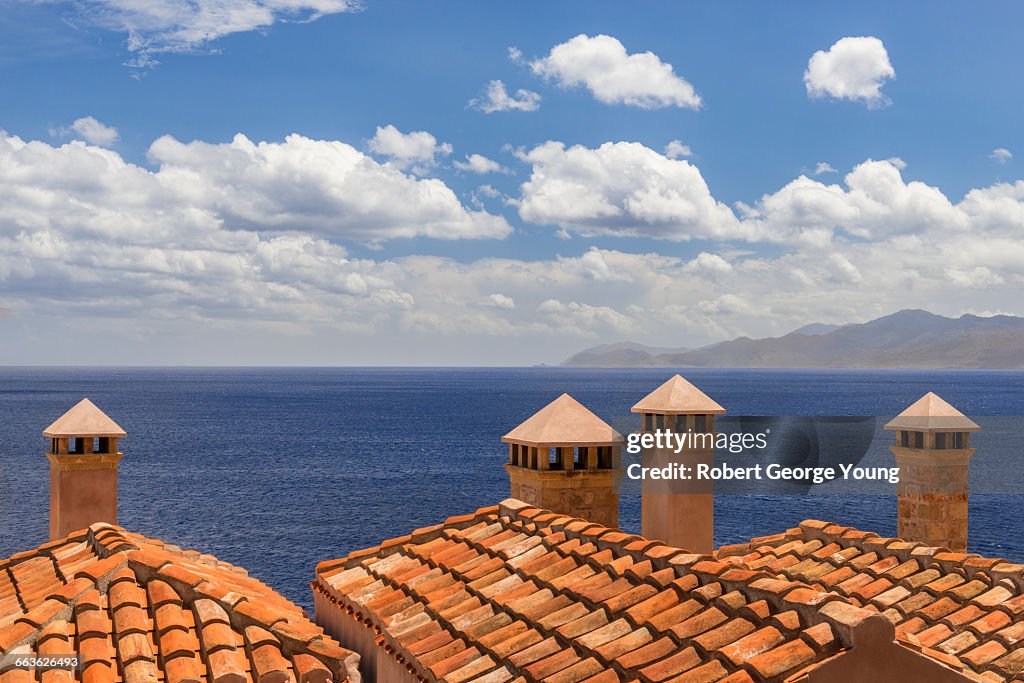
(235, 244)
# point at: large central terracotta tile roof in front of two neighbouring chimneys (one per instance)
(515, 594)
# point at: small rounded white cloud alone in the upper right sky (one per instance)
(855, 68)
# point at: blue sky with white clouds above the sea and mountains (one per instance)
(952, 99)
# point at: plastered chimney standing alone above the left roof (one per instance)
(84, 460)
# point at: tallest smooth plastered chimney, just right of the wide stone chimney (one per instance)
(679, 513)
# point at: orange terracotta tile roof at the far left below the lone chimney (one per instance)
(139, 611)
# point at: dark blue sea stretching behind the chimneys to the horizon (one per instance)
(277, 469)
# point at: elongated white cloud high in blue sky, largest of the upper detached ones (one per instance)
(615, 77)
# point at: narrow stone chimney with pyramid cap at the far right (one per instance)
(933, 452)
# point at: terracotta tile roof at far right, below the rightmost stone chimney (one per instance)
(960, 608)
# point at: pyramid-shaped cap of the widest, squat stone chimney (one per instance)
(564, 422)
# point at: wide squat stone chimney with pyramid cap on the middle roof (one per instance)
(566, 459)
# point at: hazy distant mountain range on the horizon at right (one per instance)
(907, 339)
